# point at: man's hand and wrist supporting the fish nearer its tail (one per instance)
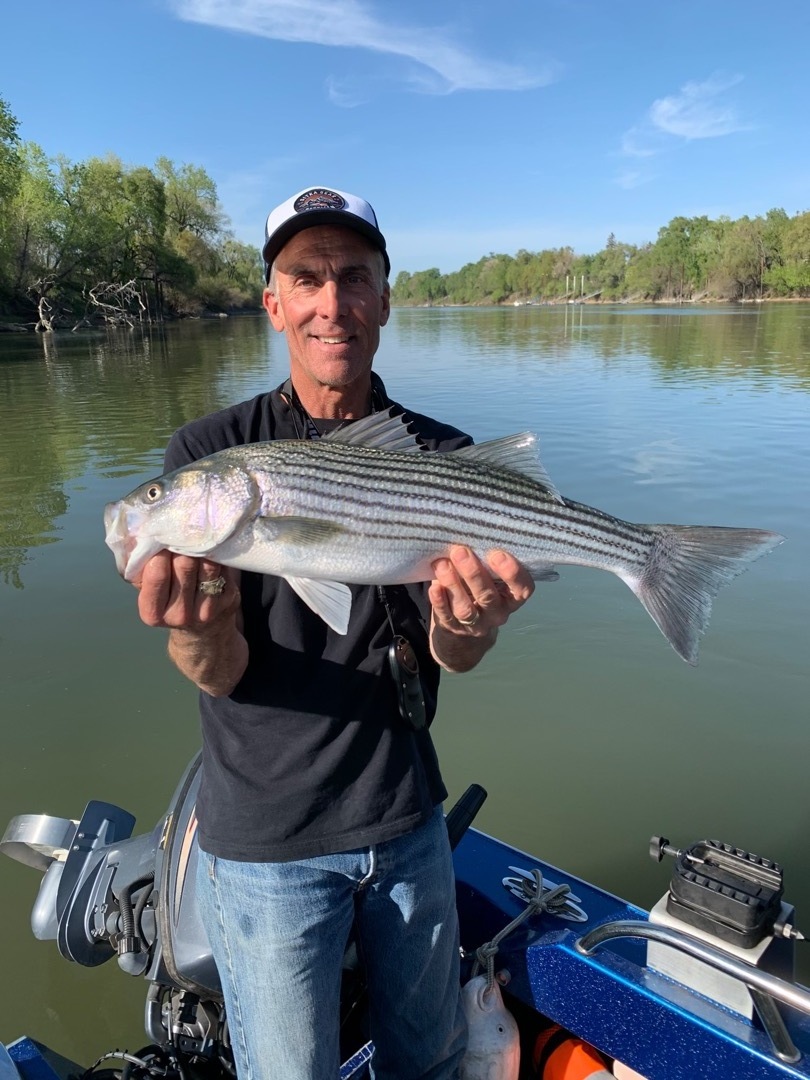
(470, 601)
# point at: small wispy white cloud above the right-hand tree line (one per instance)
(695, 113)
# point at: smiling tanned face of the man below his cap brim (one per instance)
(331, 302)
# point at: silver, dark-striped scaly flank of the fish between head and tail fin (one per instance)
(428, 501)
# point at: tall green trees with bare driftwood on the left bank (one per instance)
(101, 241)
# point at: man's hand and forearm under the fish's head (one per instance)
(206, 639)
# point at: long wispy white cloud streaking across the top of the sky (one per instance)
(443, 66)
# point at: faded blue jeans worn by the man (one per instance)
(279, 933)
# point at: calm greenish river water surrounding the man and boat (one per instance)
(587, 730)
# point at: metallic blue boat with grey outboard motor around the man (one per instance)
(701, 987)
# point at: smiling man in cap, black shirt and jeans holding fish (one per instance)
(320, 806)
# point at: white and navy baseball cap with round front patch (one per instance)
(320, 207)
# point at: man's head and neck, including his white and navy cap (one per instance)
(329, 294)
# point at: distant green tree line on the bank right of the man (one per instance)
(693, 259)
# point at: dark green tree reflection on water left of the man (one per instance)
(106, 404)
